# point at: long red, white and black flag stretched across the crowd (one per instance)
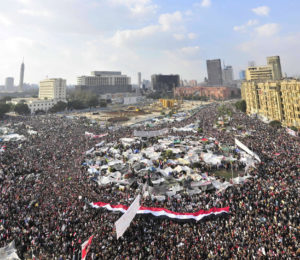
(162, 212)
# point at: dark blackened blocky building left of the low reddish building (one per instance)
(165, 83)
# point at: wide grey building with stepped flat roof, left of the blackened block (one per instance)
(103, 82)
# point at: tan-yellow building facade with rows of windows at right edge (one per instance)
(274, 100)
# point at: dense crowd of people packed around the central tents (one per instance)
(45, 192)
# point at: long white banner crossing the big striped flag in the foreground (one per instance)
(124, 222)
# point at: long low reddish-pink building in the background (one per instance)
(219, 93)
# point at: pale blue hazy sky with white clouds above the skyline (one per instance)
(70, 38)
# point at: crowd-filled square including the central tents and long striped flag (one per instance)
(214, 184)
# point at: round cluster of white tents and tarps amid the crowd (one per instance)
(169, 164)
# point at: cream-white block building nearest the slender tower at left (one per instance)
(53, 89)
